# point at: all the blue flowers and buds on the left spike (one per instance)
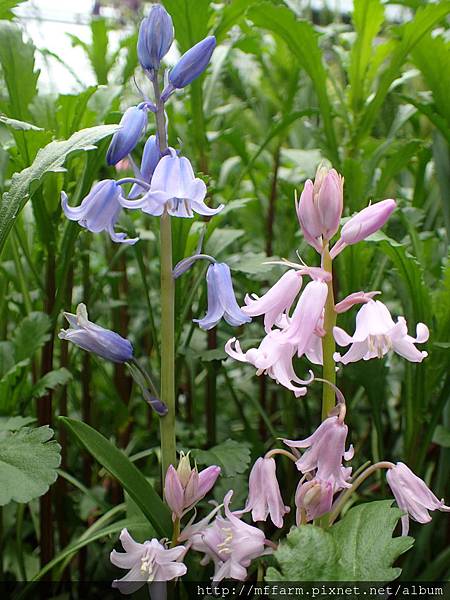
(163, 183)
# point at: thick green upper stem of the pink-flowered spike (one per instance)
(328, 345)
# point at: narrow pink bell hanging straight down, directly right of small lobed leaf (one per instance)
(264, 496)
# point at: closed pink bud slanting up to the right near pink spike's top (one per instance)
(363, 224)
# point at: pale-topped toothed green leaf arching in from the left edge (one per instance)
(51, 158)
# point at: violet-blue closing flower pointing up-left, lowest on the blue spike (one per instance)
(96, 339)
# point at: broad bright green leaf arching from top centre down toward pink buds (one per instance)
(301, 39)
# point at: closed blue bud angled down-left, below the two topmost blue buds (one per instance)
(132, 125)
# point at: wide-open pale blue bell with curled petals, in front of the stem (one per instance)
(174, 188)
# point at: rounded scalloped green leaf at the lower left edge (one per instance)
(28, 462)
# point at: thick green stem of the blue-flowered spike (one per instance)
(167, 423)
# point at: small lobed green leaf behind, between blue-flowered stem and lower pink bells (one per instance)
(232, 457)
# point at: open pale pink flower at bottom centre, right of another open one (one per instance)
(230, 543)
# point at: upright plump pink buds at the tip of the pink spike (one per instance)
(320, 207)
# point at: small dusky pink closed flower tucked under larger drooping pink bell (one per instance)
(313, 499)
